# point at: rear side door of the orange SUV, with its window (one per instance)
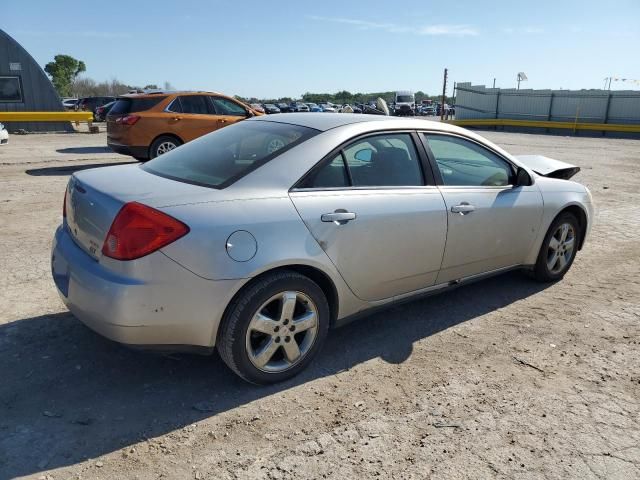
(190, 117)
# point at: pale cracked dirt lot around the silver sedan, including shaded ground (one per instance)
(502, 379)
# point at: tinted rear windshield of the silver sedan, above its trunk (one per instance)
(219, 159)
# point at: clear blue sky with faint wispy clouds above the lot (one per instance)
(277, 48)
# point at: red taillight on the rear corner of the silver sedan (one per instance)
(139, 230)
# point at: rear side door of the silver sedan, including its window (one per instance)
(379, 218)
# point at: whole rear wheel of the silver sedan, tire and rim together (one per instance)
(264, 358)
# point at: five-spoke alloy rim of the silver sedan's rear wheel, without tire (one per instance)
(282, 331)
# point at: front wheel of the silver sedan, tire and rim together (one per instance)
(558, 249)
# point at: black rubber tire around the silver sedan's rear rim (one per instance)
(235, 325)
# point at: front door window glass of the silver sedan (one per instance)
(464, 163)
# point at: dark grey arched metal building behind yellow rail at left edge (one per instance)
(24, 87)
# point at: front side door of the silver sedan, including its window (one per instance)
(492, 224)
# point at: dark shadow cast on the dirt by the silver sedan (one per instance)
(68, 394)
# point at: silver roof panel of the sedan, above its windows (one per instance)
(324, 121)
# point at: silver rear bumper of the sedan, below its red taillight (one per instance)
(171, 307)
